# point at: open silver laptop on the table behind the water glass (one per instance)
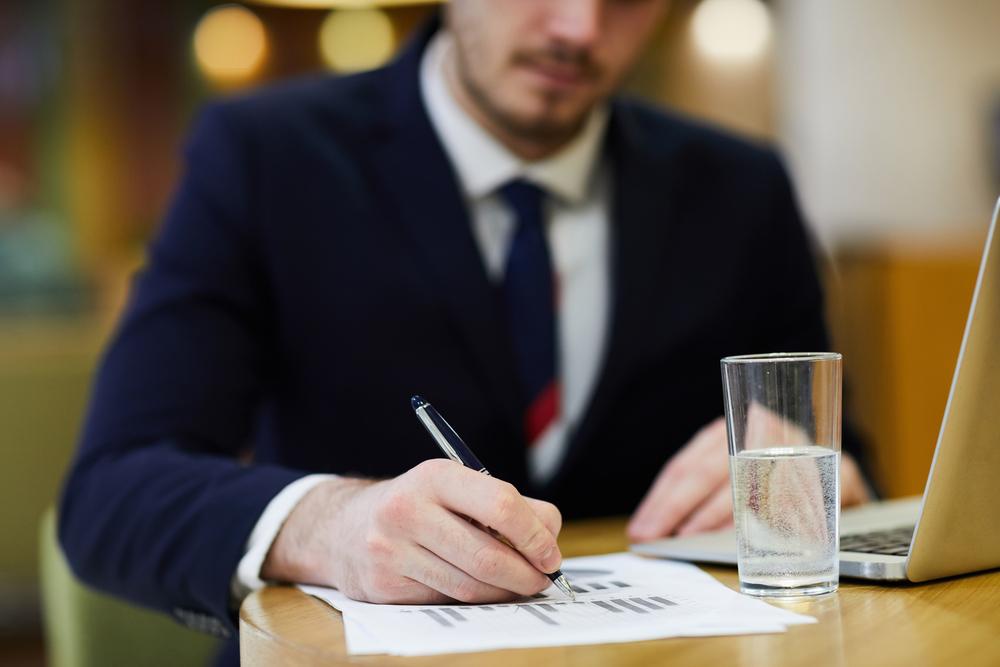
(954, 528)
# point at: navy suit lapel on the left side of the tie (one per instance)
(418, 184)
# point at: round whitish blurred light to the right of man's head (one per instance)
(732, 30)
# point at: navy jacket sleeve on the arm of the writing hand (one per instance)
(157, 506)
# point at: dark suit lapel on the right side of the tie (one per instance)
(643, 202)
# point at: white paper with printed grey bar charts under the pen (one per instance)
(620, 598)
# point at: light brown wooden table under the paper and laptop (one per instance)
(951, 622)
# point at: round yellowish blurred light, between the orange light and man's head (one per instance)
(351, 40)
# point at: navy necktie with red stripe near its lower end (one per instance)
(530, 293)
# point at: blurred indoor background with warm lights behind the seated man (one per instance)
(887, 112)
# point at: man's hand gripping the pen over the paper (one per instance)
(415, 539)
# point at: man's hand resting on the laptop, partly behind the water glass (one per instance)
(692, 493)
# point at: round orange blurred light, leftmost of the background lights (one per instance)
(230, 44)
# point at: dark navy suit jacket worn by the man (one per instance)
(317, 268)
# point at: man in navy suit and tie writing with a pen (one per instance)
(556, 270)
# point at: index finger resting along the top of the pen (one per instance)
(497, 505)
